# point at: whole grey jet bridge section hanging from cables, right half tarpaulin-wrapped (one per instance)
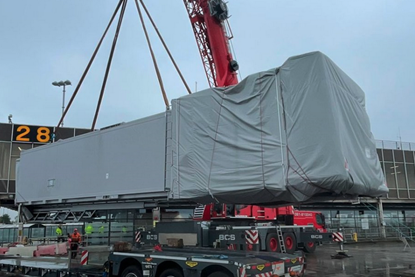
(293, 134)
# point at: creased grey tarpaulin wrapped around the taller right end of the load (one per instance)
(286, 135)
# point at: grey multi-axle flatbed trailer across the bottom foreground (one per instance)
(146, 261)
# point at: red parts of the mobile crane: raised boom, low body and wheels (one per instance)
(209, 21)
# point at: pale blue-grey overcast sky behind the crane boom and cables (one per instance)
(53, 40)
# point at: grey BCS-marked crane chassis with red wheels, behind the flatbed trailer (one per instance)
(260, 237)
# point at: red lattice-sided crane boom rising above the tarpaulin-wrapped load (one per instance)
(207, 18)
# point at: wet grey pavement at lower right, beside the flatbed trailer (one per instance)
(381, 259)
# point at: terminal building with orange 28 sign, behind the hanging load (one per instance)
(369, 218)
